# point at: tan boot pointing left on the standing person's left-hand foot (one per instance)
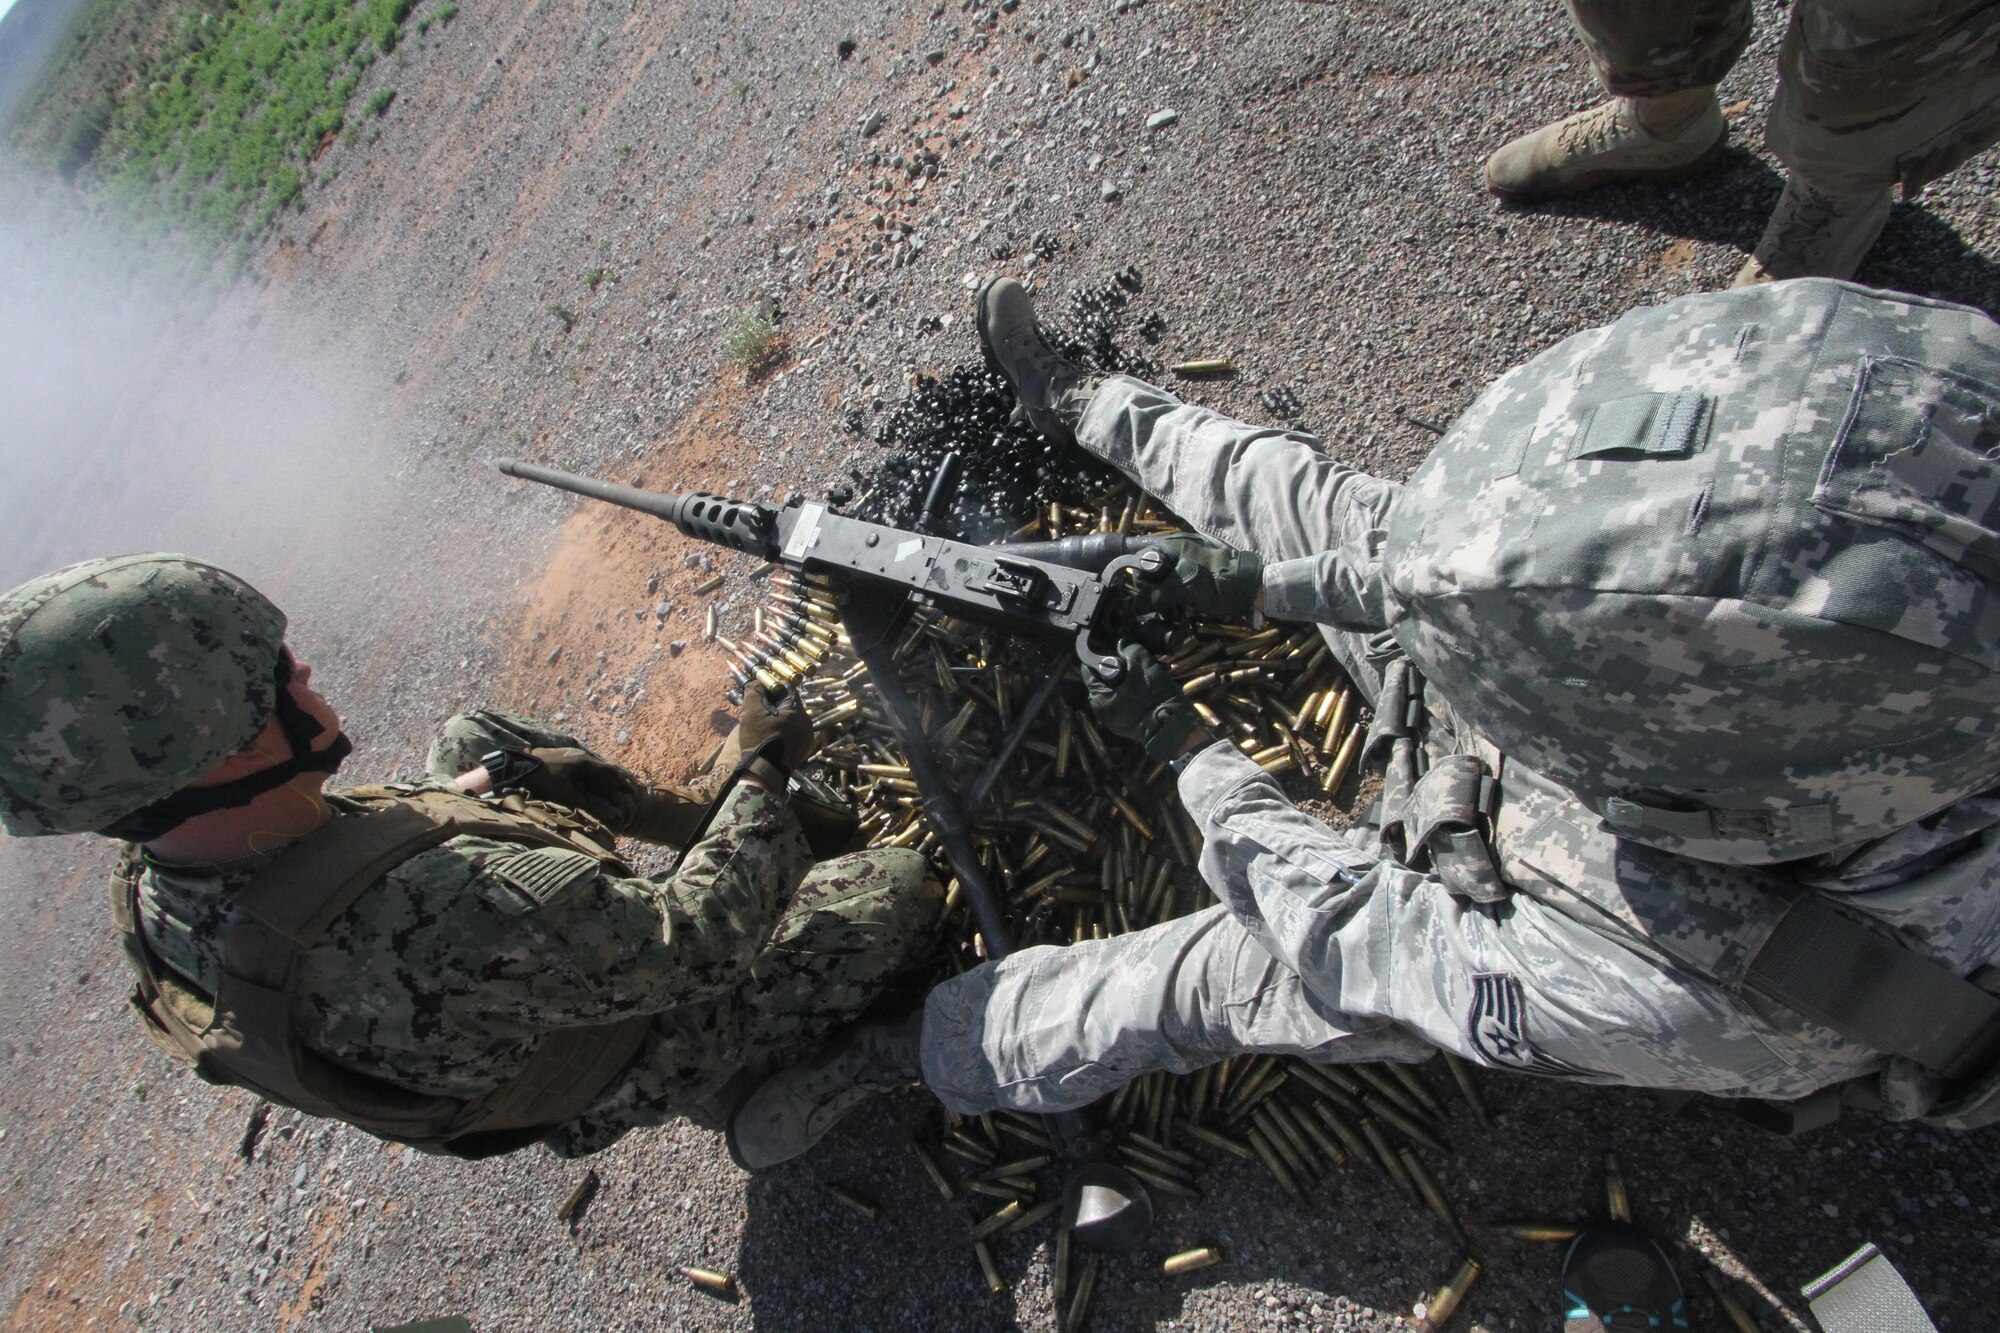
(1625, 139)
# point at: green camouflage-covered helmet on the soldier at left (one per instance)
(125, 680)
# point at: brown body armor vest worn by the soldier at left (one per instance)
(243, 1034)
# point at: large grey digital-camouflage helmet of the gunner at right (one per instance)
(1727, 569)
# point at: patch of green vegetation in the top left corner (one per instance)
(209, 121)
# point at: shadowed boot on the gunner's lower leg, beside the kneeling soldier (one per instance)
(793, 1110)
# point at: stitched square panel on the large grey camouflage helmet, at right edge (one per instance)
(1917, 455)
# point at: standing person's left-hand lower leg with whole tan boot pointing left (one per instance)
(1661, 63)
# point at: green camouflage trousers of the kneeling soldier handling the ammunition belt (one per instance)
(855, 928)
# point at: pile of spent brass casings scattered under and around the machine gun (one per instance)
(1083, 838)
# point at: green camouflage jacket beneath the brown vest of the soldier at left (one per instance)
(443, 976)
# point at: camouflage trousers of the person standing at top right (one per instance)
(1871, 93)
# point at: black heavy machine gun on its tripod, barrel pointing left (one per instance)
(1079, 589)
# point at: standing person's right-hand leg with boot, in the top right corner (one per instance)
(1871, 95)
